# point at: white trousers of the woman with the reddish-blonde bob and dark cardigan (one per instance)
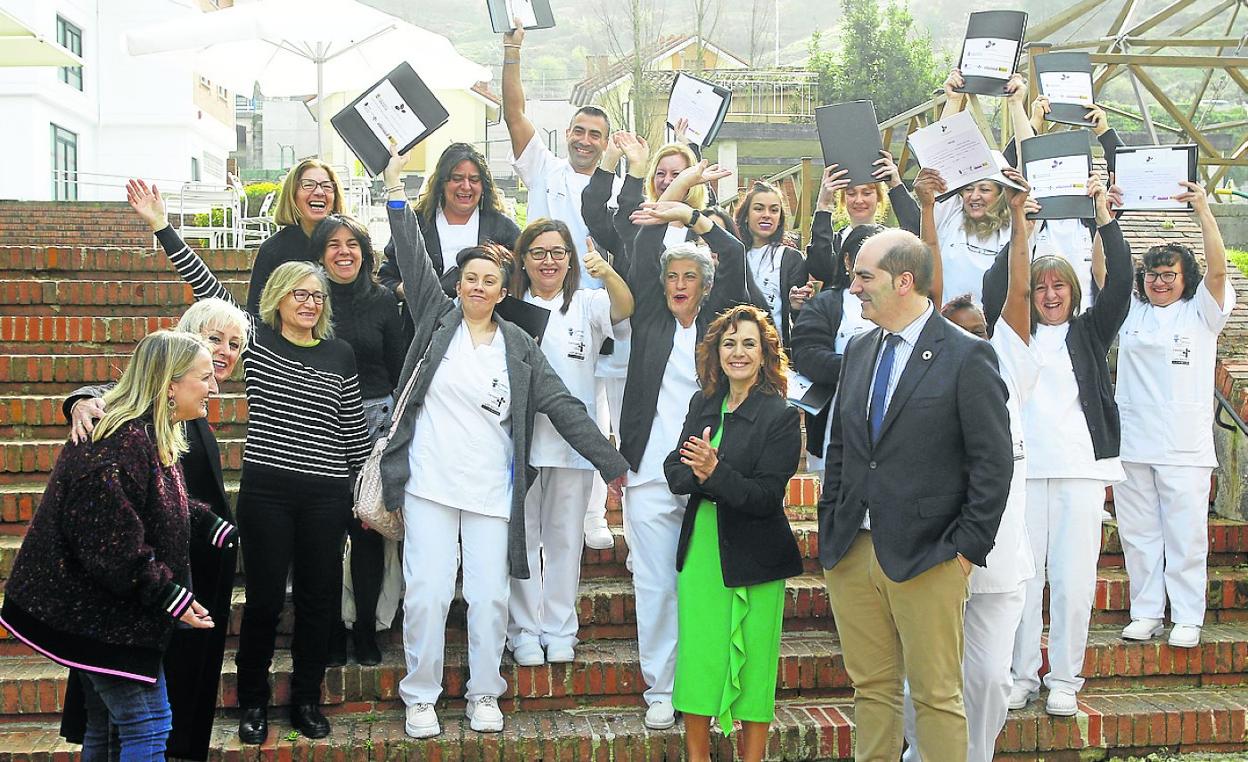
(1064, 521)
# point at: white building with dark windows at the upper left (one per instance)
(72, 134)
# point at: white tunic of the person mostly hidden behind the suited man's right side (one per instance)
(1010, 562)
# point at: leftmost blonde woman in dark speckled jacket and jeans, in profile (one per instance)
(103, 577)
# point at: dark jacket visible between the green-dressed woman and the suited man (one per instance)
(814, 355)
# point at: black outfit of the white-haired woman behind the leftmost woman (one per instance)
(193, 662)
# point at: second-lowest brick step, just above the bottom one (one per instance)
(610, 672)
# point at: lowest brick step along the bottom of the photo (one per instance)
(804, 729)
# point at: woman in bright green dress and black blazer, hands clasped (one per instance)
(738, 451)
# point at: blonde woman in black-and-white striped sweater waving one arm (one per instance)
(306, 436)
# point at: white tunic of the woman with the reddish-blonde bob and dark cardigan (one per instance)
(1056, 431)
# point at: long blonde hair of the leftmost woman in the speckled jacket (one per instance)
(160, 360)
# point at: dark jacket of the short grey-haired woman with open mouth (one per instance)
(655, 329)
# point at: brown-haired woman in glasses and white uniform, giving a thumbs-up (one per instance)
(544, 608)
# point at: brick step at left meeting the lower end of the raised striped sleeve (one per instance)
(112, 297)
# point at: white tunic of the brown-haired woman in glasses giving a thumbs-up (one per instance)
(571, 346)
